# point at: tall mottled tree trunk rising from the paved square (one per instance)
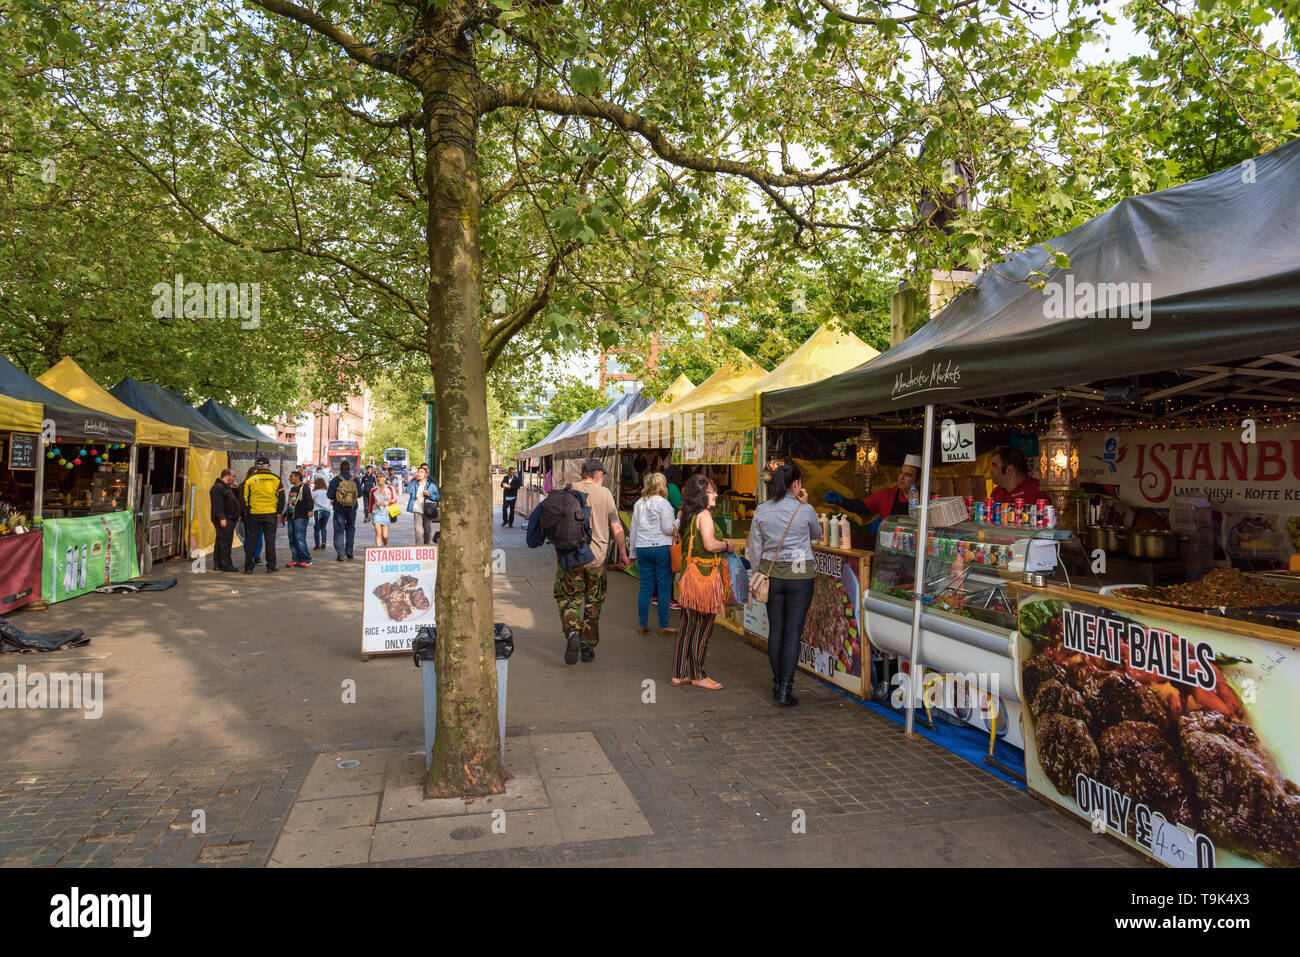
(467, 751)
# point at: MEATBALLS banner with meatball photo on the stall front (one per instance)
(1173, 737)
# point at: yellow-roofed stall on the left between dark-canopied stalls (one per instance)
(159, 457)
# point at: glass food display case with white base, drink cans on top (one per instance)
(970, 612)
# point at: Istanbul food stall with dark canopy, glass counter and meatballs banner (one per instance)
(1152, 634)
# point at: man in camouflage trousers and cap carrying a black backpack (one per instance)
(579, 521)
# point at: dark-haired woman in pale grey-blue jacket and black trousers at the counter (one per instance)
(781, 545)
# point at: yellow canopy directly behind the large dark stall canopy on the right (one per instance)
(725, 427)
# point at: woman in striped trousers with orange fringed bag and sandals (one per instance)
(704, 583)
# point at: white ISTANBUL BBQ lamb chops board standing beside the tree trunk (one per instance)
(398, 597)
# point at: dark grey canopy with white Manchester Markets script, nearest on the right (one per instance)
(1202, 274)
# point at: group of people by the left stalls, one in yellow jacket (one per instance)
(258, 505)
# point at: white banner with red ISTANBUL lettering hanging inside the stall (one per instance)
(1237, 470)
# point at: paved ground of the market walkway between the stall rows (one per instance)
(227, 741)
